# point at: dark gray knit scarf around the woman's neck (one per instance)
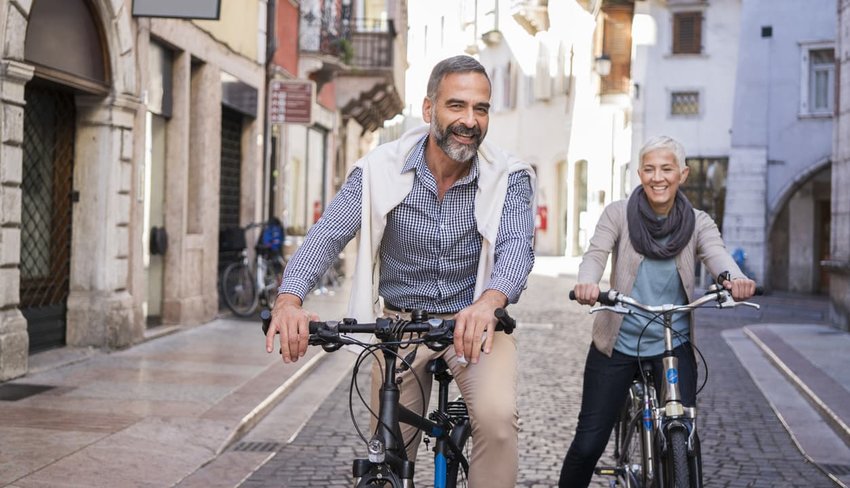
(645, 228)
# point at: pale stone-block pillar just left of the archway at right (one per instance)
(744, 222)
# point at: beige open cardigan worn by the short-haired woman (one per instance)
(612, 236)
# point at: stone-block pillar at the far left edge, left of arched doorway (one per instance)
(14, 339)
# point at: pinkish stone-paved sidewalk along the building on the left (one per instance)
(150, 415)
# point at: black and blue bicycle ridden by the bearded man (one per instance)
(386, 465)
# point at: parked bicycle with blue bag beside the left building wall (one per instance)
(249, 283)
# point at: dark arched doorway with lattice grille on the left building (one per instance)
(64, 43)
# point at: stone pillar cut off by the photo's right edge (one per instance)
(839, 264)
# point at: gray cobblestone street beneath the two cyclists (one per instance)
(743, 443)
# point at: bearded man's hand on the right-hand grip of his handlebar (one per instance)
(472, 322)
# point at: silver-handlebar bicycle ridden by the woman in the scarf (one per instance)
(656, 443)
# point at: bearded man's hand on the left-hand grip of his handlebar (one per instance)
(293, 323)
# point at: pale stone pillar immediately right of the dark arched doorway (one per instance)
(100, 308)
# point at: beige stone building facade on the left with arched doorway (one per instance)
(114, 130)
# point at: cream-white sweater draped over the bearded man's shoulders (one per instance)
(385, 186)
